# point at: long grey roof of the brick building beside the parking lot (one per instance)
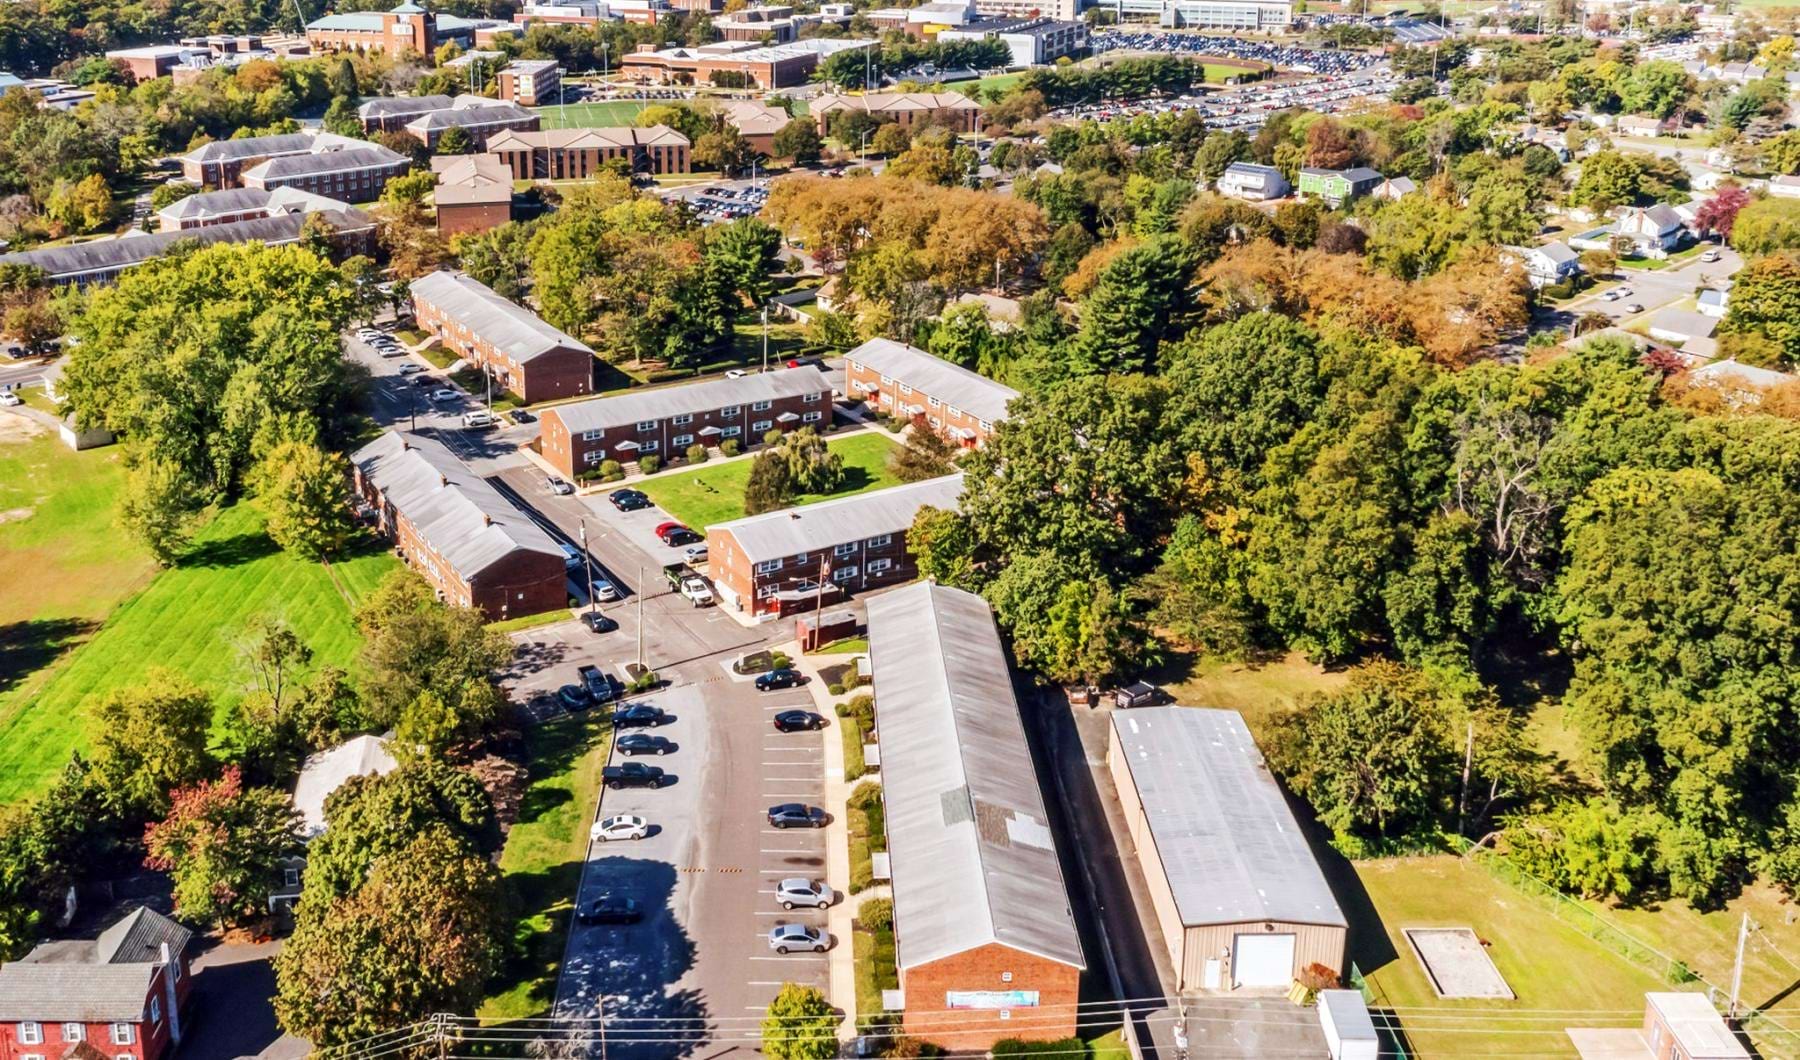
(969, 843)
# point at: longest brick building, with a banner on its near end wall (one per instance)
(984, 935)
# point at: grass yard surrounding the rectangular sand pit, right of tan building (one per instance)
(1549, 966)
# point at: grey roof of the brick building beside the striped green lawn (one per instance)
(462, 517)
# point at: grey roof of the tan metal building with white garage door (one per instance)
(1228, 843)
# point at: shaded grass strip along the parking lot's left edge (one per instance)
(543, 859)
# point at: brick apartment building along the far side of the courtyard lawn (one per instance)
(665, 422)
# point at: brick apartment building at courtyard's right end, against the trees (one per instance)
(904, 381)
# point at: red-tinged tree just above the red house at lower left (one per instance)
(224, 849)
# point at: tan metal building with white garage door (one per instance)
(1237, 892)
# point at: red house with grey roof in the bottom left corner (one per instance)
(123, 994)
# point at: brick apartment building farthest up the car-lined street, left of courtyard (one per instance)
(526, 355)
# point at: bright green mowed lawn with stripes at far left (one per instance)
(188, 620)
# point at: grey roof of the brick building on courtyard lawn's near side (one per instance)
(845, 519)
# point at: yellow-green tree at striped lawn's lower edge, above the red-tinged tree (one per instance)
(148, 742)
